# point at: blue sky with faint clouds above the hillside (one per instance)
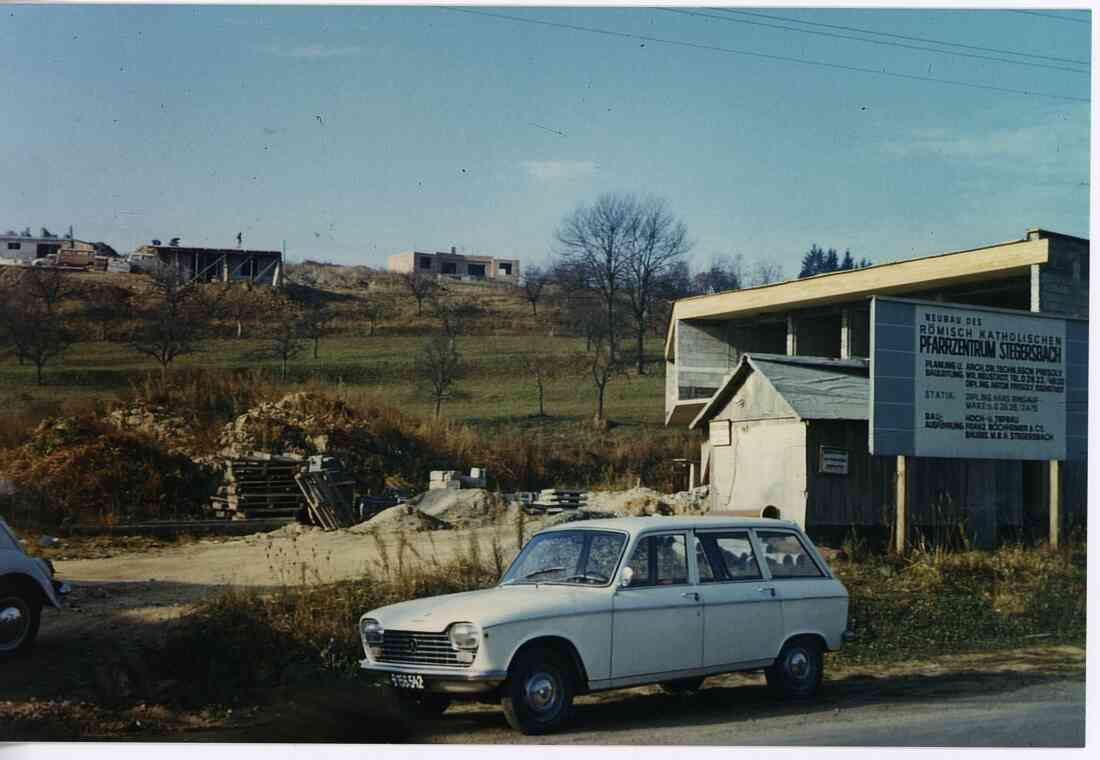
(354, 134)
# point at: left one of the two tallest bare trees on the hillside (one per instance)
(595, 246)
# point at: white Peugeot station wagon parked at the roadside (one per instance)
(608, 604)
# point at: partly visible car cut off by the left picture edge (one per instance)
(27, 586)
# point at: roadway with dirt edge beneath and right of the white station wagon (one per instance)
(953, 703)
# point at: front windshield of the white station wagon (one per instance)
(574, 557)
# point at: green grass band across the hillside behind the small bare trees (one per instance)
(497, 395)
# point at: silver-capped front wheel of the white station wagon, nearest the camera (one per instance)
(538, 696)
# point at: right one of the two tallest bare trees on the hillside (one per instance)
(657, 244)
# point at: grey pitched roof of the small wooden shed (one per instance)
(816, 388)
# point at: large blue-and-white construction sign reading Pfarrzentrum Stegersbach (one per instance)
(977, 383)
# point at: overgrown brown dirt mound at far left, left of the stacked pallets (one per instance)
(83, 470)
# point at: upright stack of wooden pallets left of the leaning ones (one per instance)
(260, 487)
